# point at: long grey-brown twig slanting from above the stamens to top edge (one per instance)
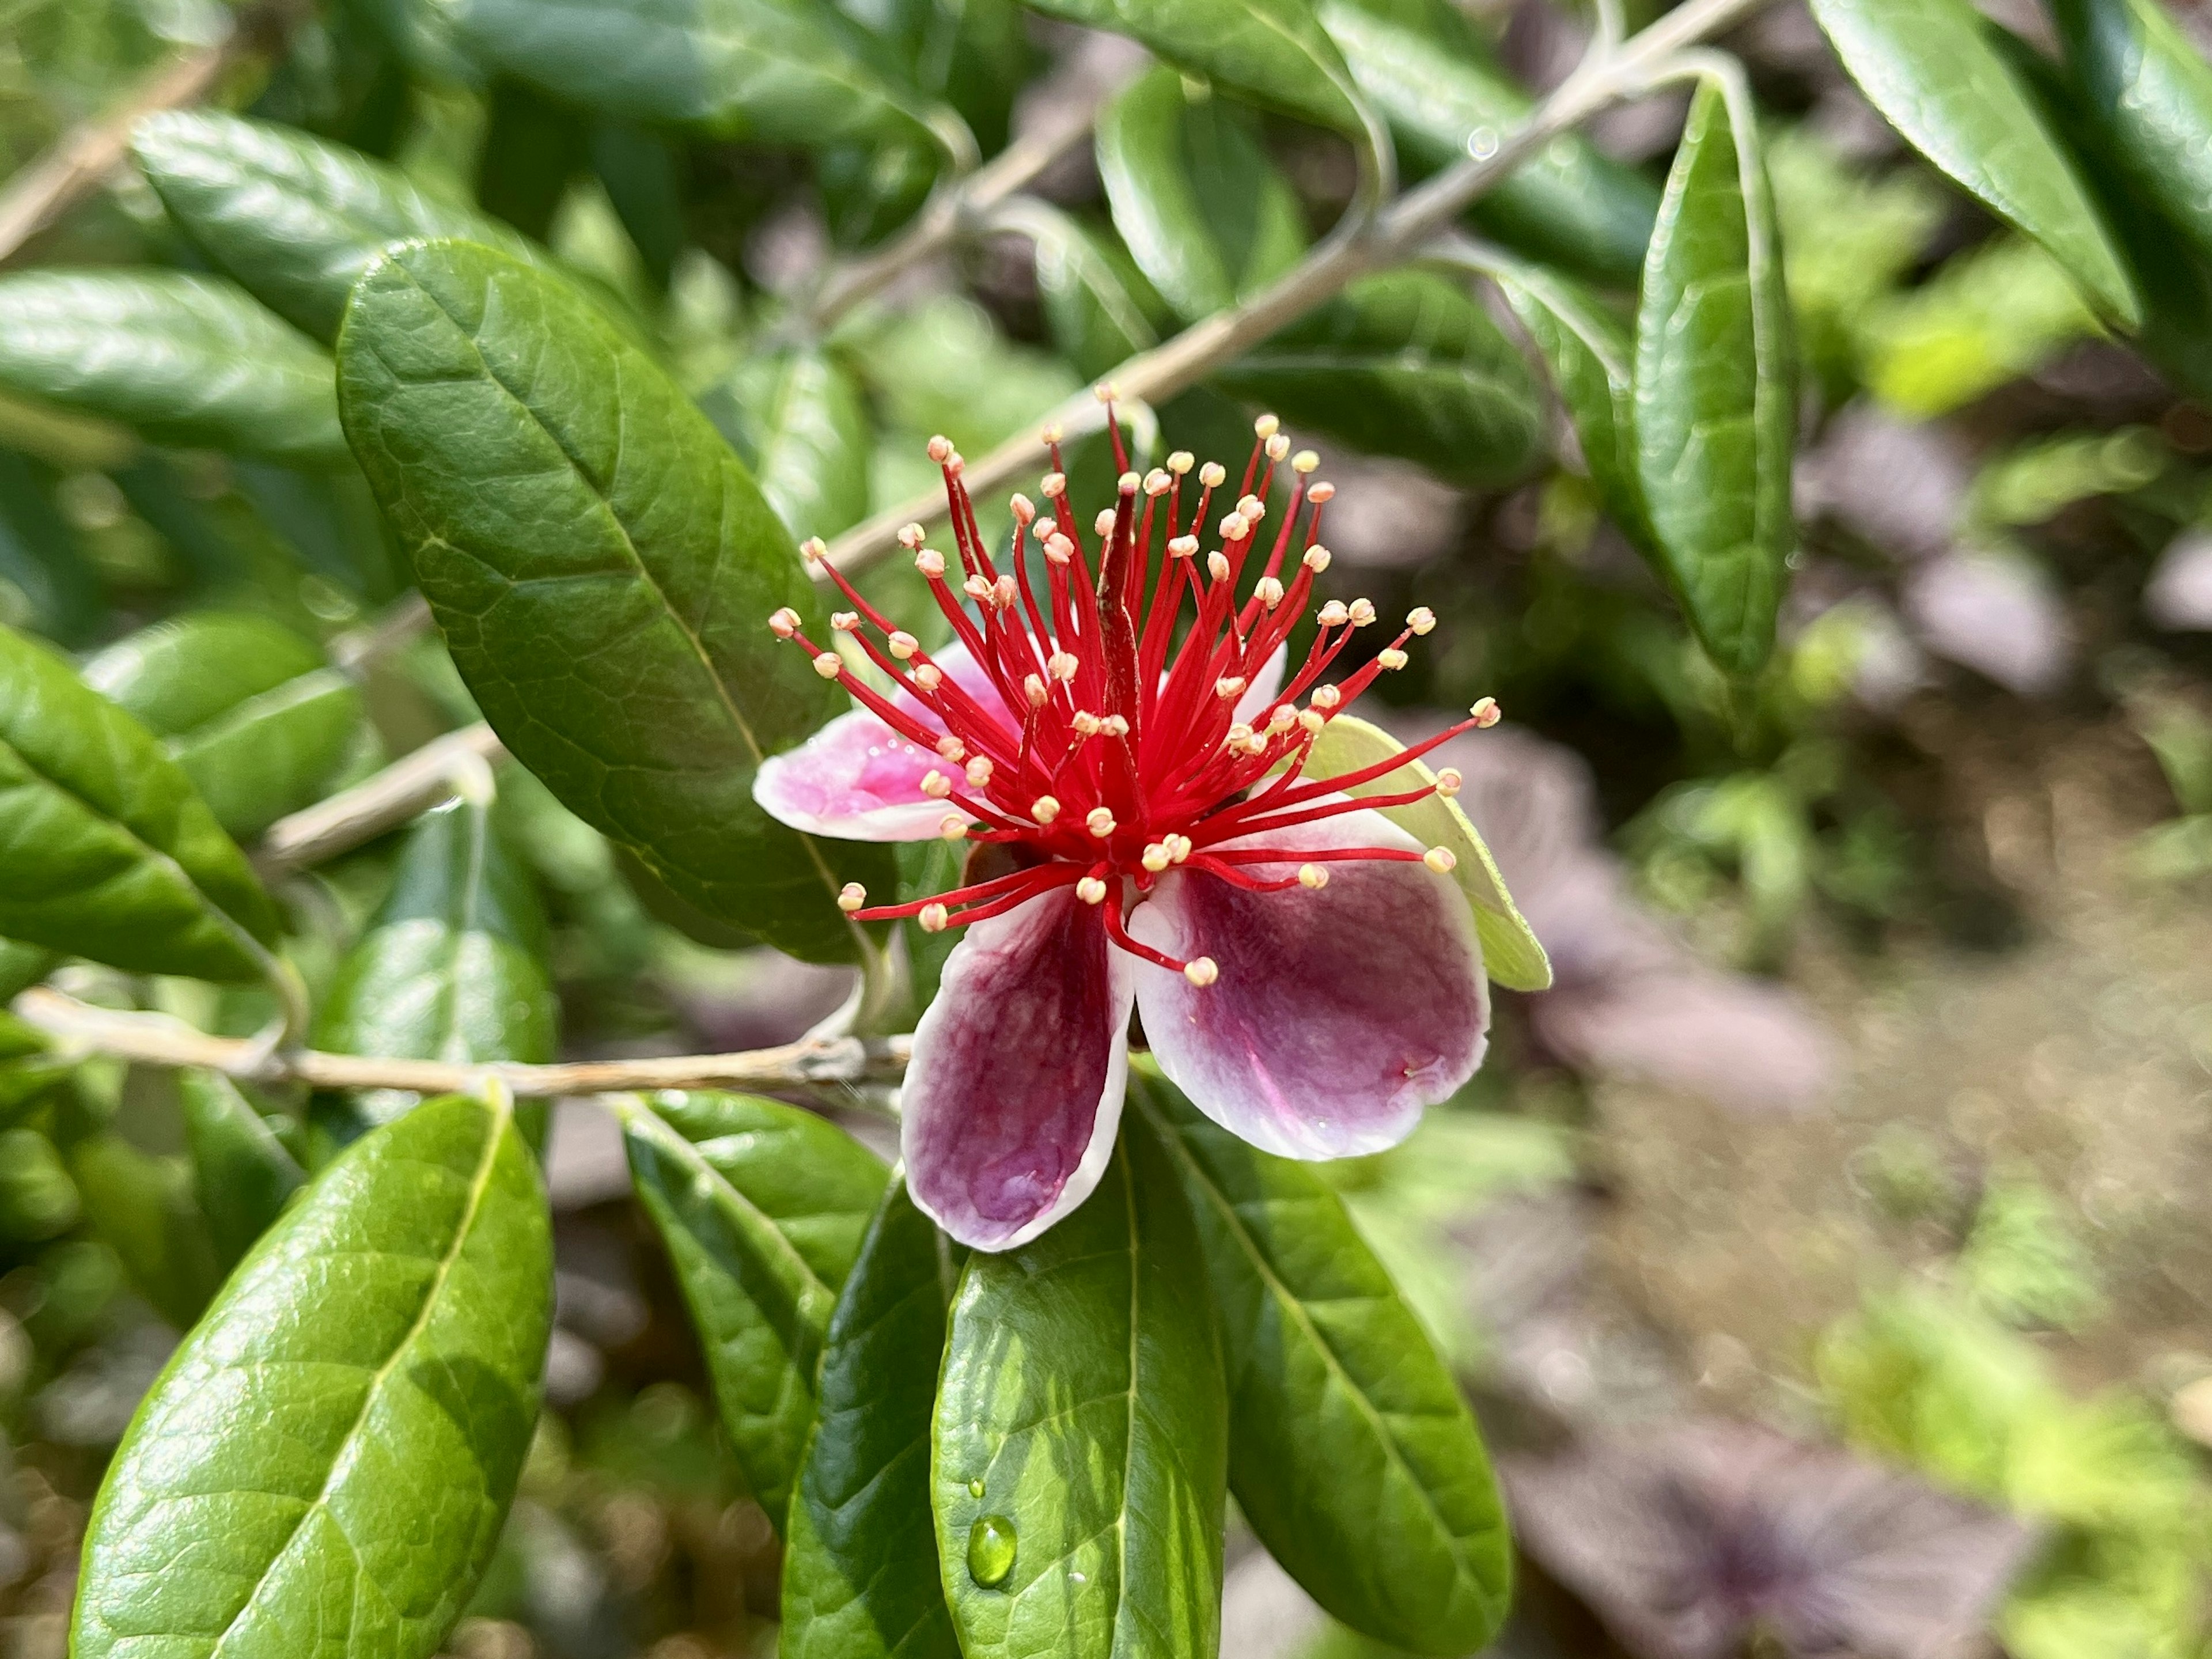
(1399, 233)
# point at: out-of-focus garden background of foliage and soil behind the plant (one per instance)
(1872, 1103)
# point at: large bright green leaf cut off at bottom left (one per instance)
(331, 1454)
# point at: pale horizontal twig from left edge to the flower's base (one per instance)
(160, 1041)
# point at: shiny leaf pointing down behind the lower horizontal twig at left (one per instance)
(450, 968)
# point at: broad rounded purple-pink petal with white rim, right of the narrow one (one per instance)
(1339, 1014)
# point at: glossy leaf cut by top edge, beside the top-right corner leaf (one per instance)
(1934, 74)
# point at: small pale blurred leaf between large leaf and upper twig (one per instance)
(802, 426)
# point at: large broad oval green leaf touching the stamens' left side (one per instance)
(603, 572)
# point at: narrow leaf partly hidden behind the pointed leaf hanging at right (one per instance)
(1589, 355)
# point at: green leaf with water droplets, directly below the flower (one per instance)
(1083, 1410)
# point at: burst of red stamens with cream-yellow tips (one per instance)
(1096, 742)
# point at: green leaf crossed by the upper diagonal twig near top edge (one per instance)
(1432, 79)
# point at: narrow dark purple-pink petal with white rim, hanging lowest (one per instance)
(1014, 1092)
